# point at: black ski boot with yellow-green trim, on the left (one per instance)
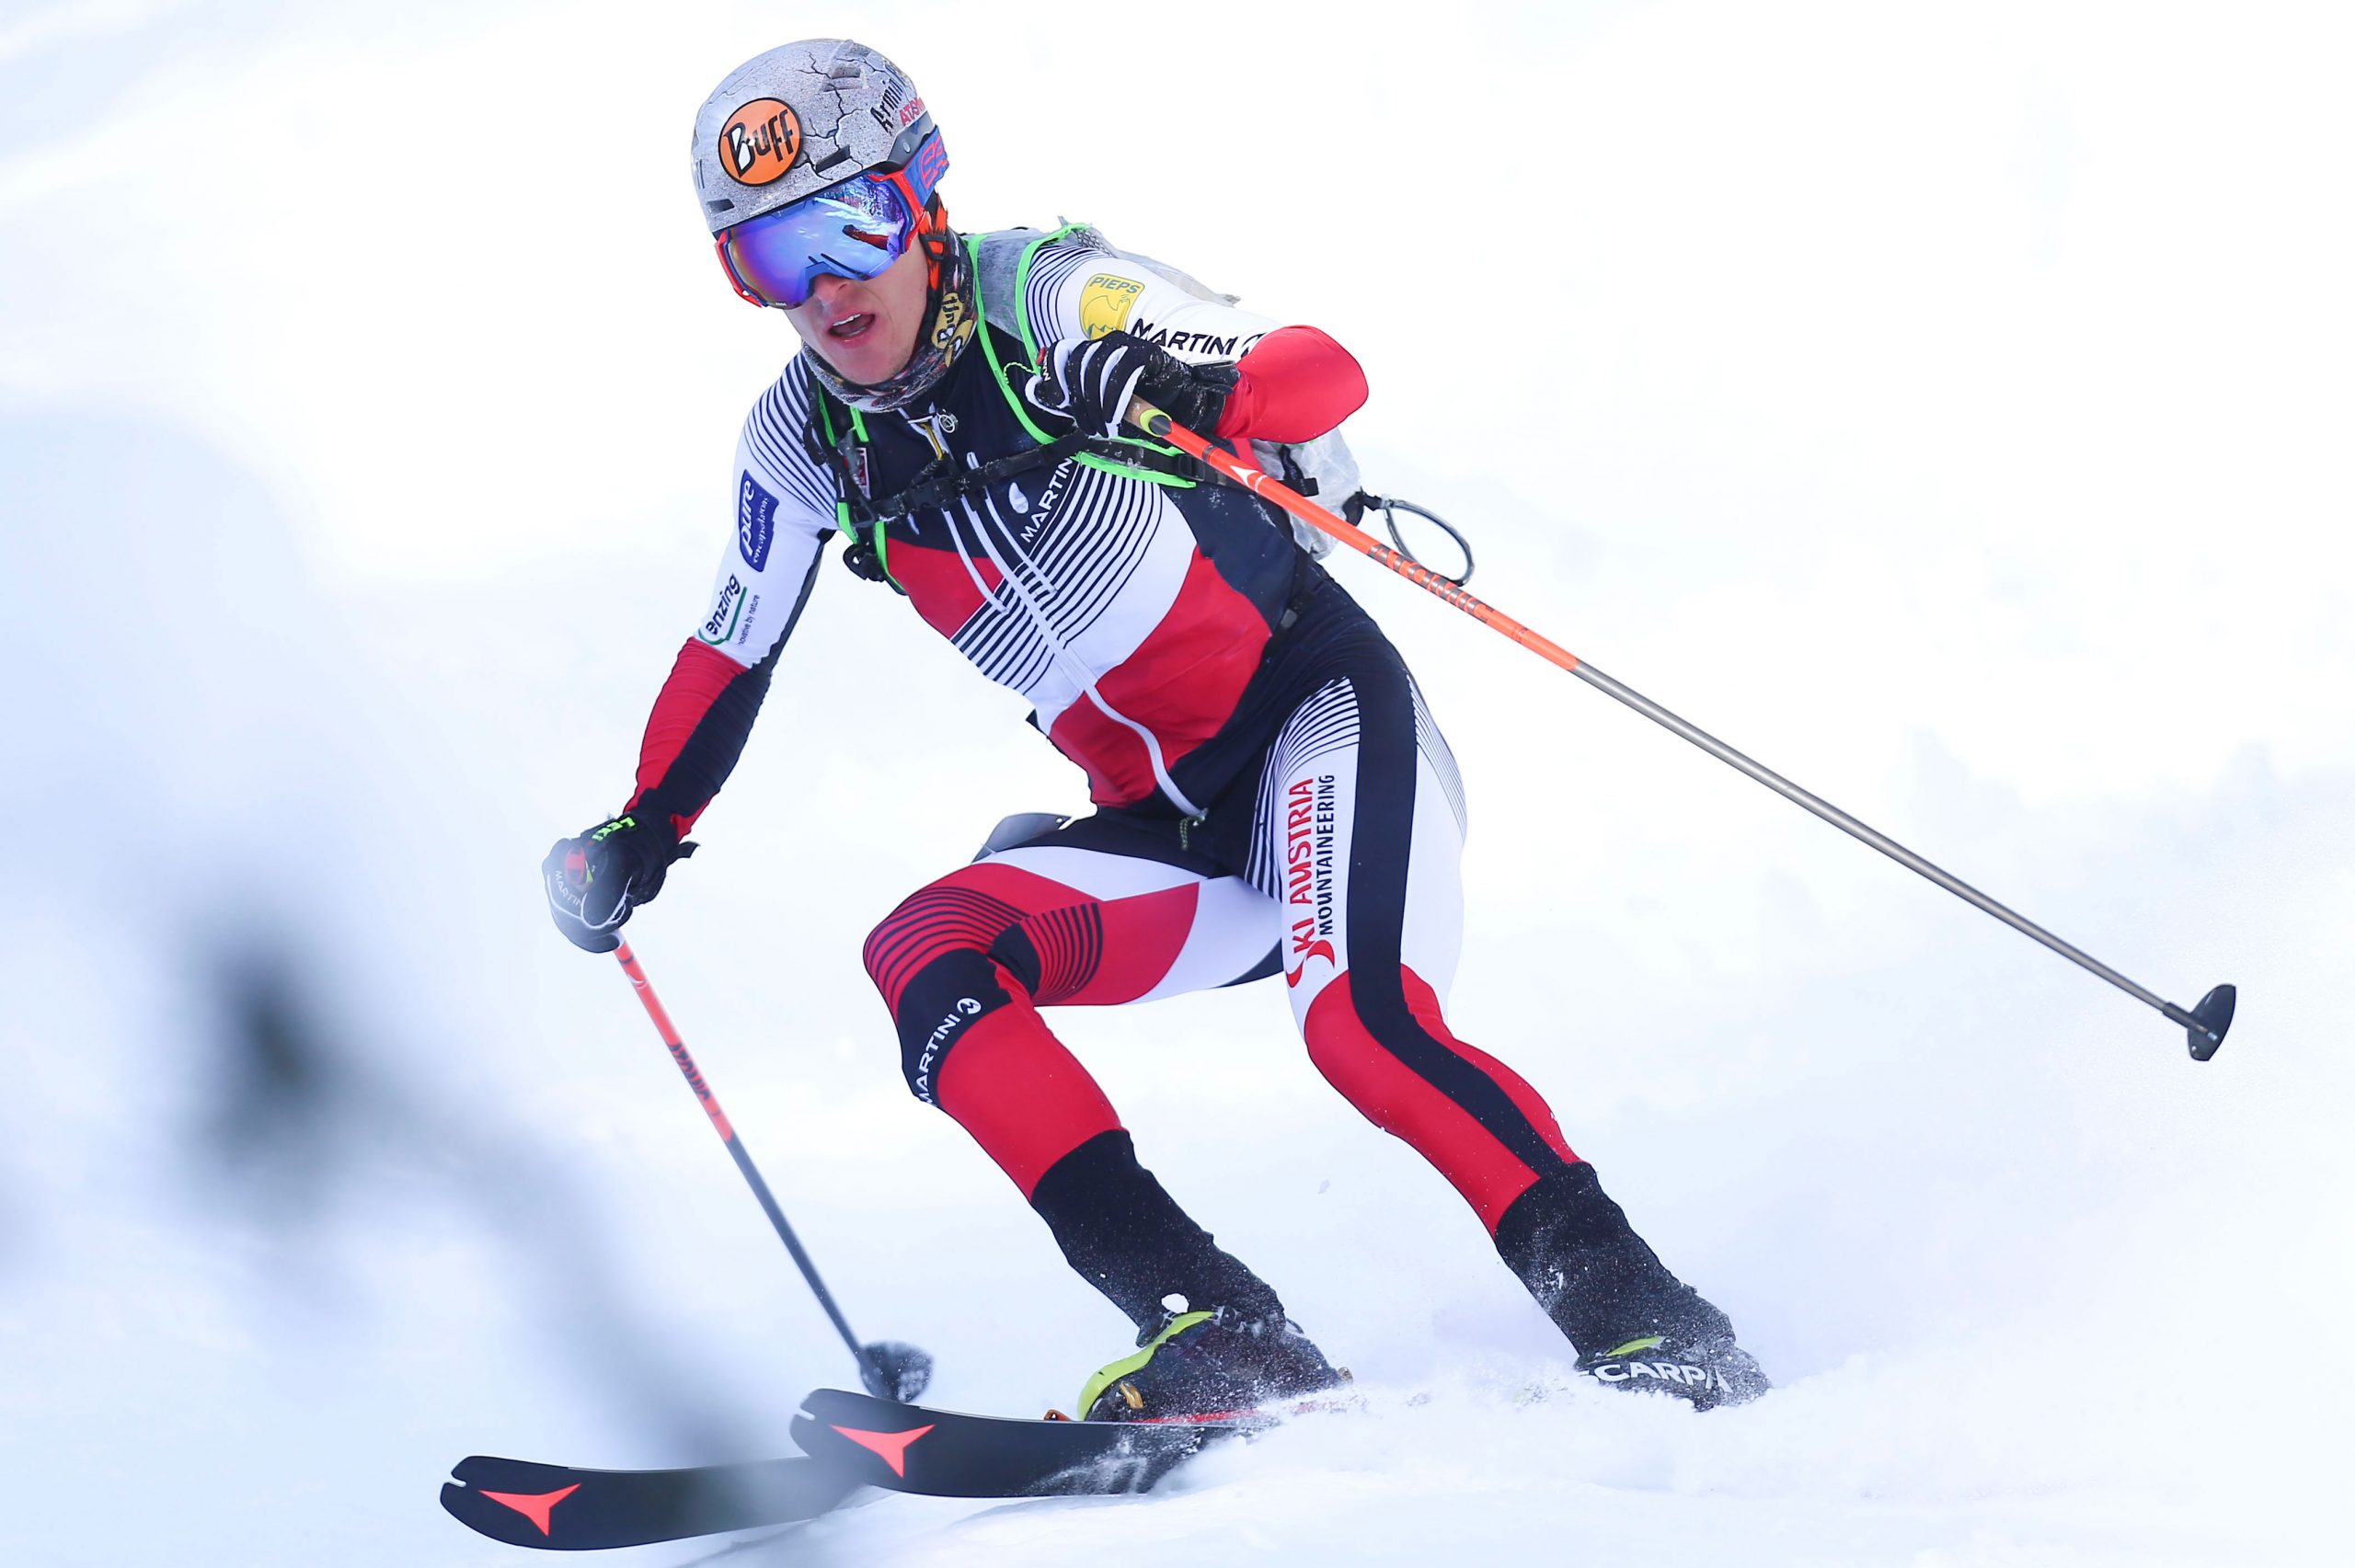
(1205, 1367)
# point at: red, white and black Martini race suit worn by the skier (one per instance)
(1273, 792)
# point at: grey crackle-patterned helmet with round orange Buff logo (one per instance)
(800, 119)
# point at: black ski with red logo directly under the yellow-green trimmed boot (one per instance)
(941, 1454)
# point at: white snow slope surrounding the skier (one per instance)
(1946, 408)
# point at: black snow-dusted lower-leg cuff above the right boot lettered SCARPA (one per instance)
(1591, 1273)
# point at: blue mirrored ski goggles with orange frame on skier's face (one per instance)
(854, 230)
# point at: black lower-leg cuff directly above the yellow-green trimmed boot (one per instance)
(1129, 1240)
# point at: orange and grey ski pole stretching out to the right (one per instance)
(2203, 1025)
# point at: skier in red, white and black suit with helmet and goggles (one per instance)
(1271, 790)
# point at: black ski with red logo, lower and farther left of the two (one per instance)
(585, 1510)
